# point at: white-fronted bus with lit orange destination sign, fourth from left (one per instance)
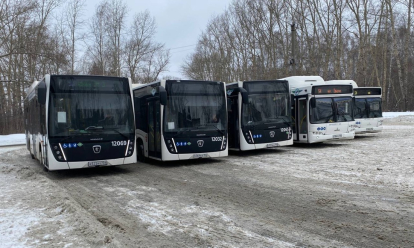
(320, 112)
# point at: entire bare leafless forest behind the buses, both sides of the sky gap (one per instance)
(369, 41)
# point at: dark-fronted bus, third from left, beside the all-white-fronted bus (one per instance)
(259, 114)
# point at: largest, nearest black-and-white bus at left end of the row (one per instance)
(75, 121)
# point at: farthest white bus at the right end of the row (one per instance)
(367, 107)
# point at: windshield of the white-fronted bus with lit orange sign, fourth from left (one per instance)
(335, 109)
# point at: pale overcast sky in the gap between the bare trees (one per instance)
(179, 23)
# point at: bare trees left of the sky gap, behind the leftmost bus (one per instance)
(39, 37)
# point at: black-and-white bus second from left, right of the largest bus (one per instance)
(180, 119)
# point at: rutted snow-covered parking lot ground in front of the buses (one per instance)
(293, 196)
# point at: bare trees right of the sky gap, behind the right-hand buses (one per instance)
(368, 41)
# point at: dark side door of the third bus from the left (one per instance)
(233, 119)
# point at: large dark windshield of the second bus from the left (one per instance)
(193, 106)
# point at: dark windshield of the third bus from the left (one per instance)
(268, 103)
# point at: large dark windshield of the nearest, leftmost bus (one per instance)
(85, 105)
